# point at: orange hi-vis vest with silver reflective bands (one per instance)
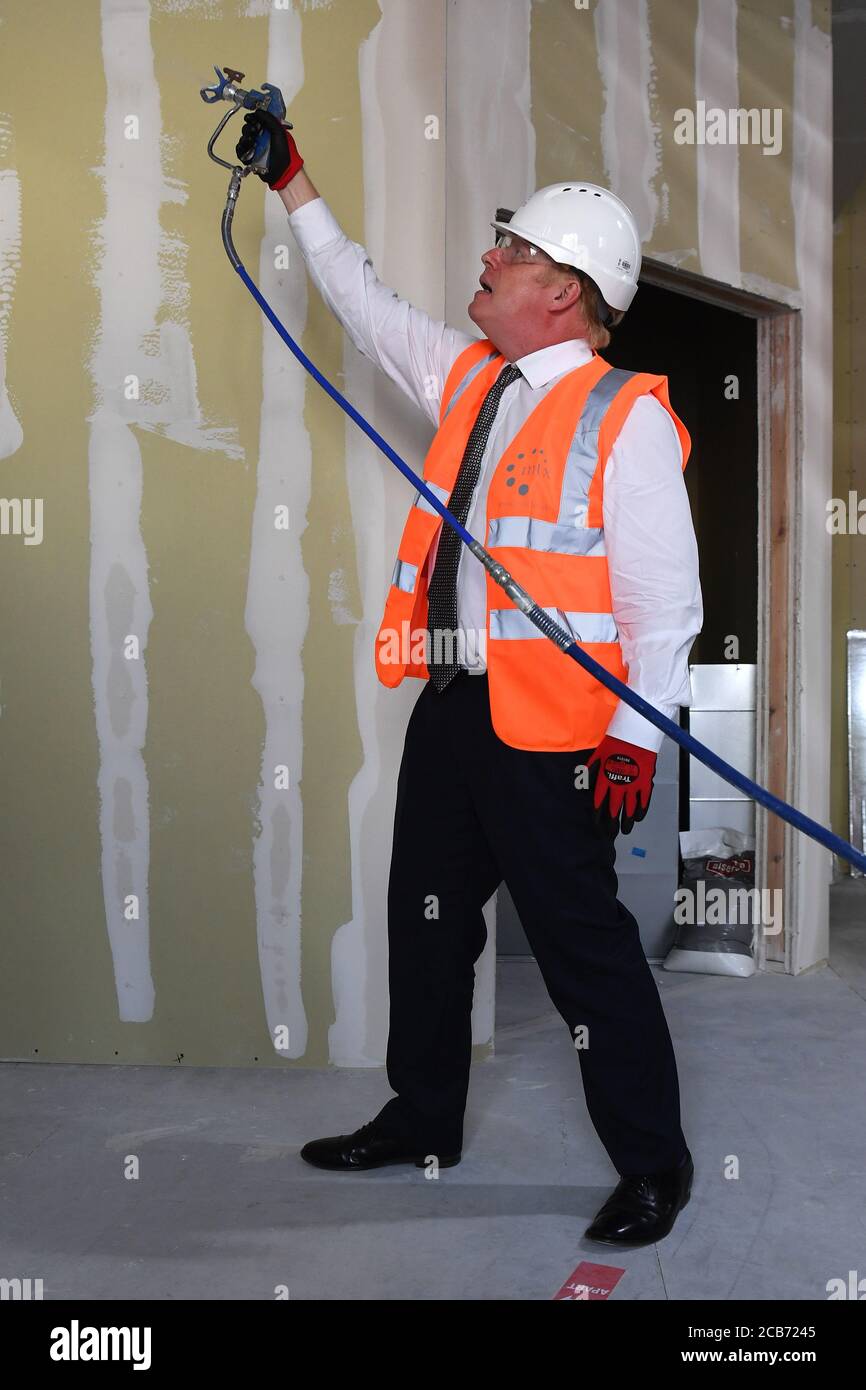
(544, 523)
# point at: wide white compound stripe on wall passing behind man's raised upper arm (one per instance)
(394, 147)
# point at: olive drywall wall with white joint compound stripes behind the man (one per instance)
(198, 762)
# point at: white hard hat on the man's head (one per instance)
(587, 227)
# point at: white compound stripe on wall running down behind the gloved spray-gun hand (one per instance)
(277, 601)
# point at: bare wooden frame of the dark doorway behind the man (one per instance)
(779, 469)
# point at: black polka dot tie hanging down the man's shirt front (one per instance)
(443, 594)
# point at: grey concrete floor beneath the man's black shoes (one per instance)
(771, 1070)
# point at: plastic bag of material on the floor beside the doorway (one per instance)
(717, 904)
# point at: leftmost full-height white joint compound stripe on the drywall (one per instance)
(120, 600)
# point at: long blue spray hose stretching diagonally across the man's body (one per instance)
(558, 635)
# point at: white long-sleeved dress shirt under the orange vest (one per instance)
(650, 537)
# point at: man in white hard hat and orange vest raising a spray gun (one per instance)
(475, 810)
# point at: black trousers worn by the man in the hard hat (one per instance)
(471, 814)
